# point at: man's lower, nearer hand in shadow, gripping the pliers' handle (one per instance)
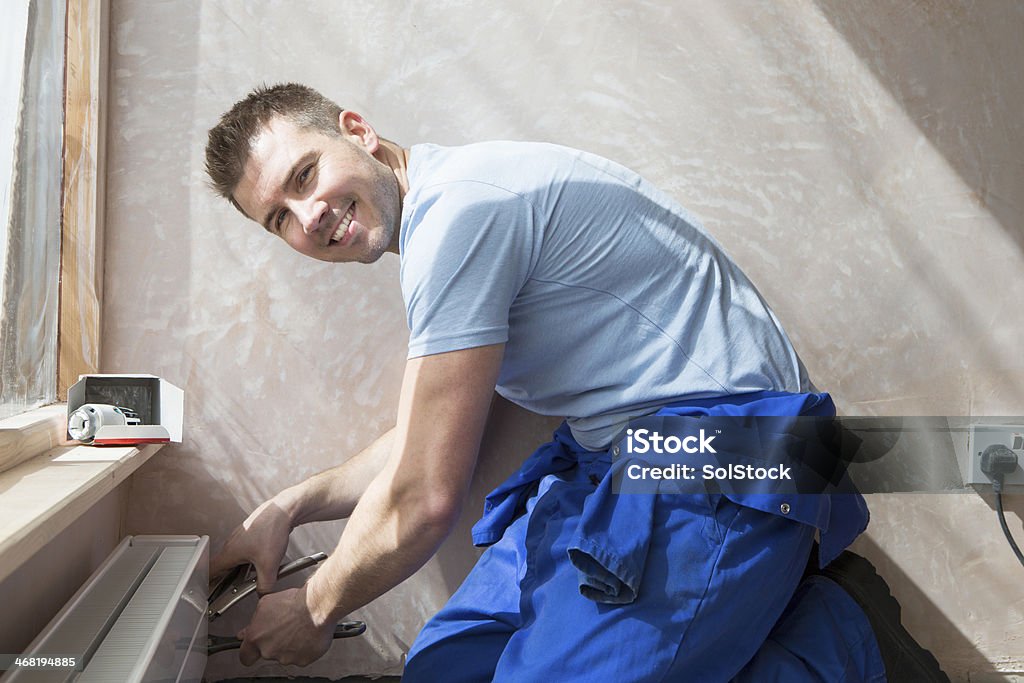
(283, 629)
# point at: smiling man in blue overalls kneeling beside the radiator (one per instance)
(574, 288)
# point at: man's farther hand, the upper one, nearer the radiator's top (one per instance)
(262, 540)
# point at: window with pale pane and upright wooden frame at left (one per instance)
(52, 197)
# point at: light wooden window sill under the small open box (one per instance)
(53, 487)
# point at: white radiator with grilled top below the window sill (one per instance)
(142, 617)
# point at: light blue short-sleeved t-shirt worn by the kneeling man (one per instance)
(611, 298)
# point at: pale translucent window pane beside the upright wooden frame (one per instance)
(31, 227)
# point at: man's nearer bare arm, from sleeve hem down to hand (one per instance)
(405, 514)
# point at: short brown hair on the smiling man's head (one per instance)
(230, 143)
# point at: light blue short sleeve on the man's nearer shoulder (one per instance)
(470, 249)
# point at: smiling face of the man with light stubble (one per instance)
(326, 196)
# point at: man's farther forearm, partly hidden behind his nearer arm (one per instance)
(335, 493)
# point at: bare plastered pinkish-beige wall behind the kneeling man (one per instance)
(861, 161)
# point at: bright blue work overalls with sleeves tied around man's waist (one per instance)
(587, 585)
